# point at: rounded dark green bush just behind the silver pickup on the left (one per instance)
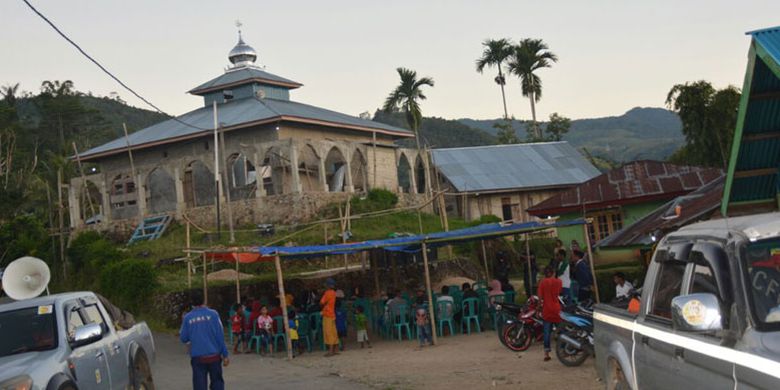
(129, 284)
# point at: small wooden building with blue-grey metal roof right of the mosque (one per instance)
(505, 180)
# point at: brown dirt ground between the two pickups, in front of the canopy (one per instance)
(478, 361)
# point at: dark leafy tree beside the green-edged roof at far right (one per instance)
(709, 117)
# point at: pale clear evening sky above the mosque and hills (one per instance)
(613, 55)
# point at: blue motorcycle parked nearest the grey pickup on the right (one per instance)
(575, 337)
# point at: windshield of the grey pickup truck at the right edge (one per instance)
(763, 265)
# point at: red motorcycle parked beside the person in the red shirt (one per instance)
(518, 332)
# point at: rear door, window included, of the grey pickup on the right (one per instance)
(656, 366)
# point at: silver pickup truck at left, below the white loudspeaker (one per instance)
(73, 341)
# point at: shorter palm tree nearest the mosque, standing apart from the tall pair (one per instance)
(405, 97)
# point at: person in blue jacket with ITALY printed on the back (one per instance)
(201, 328)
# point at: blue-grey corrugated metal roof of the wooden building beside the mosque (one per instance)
(522, 166)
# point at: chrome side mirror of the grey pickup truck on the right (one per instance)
(698, 312)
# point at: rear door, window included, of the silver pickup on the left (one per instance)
(118, 367)
